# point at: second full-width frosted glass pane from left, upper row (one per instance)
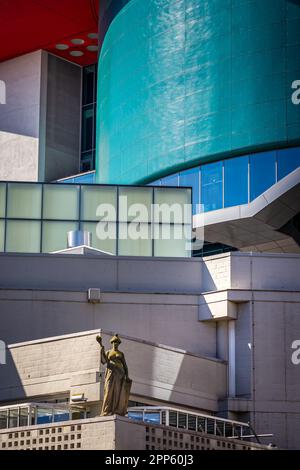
(61, 202)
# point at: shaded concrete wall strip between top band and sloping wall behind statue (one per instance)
(165, 319)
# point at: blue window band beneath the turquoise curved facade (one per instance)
(235, 181)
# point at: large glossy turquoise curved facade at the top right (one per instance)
(186, 82)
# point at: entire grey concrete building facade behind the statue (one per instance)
(213, 336)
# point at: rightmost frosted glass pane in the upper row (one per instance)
(172, 205)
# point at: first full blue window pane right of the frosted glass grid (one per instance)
(211, 186)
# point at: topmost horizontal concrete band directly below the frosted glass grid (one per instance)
(235, 271)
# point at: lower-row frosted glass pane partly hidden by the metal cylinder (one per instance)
(55, 235)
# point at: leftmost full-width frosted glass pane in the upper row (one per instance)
(24, 201)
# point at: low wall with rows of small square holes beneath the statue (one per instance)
(113, 433)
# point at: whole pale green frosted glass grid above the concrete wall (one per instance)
(36, 217)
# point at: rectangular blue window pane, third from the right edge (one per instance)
(236, 181)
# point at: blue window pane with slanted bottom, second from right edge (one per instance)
(262, 173)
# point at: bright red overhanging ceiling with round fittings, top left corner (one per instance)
(29, 25)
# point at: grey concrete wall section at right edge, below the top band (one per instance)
(267, 380)
